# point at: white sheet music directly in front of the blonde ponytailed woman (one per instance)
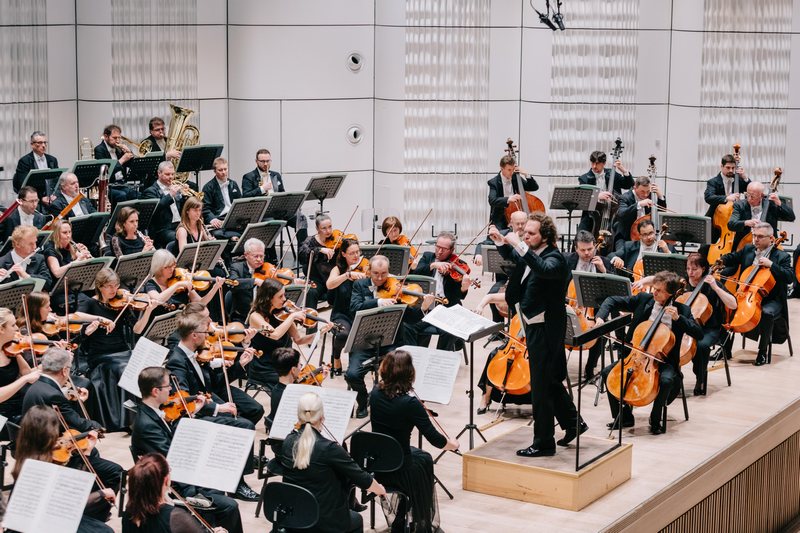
(338, 405)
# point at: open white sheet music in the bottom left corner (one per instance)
(48, 497)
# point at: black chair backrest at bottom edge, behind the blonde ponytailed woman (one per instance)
(289, 506)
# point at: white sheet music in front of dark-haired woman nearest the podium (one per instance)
(436, 372)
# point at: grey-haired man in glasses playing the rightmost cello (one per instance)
(773, 305)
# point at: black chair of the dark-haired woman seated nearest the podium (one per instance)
(378, 452)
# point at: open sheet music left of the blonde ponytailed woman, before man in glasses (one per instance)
(209, 455)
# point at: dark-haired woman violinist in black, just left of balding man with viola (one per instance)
(340, 284)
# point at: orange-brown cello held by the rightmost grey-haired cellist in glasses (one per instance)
(755, 283)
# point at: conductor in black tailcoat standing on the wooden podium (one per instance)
(543, 288)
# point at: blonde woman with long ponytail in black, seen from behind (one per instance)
(324, 468)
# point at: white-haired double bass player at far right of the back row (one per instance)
(748, 213)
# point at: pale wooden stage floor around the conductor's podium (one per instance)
(716, 422)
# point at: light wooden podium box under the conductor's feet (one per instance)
(495, 469)
